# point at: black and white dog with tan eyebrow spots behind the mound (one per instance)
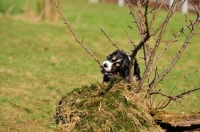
(118, 63)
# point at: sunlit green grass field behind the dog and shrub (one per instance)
(40, 61)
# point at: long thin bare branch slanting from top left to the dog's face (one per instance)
(77, 40)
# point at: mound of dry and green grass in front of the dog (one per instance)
(104, 107)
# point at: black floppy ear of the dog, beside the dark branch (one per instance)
(124, 69)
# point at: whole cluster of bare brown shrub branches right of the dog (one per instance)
(145, 30)
